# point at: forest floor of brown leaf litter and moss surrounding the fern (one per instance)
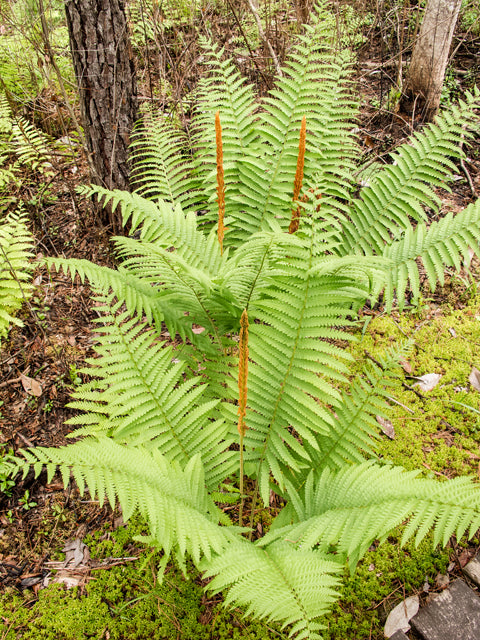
(39, 517)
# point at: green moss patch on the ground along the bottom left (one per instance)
(126, 602)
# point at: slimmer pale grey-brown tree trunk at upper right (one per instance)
(423, 86)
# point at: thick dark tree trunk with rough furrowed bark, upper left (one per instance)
(105, 72)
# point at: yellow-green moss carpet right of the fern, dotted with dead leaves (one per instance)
(437, 431)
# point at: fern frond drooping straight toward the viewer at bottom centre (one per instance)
(277, 582)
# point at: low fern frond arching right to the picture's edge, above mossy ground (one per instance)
(351, 508)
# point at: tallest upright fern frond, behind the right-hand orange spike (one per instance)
(315, 85)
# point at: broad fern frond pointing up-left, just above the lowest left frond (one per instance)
(142, 399)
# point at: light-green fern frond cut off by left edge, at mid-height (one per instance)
(16, 244)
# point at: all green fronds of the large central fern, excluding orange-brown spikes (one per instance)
(160, 422)
